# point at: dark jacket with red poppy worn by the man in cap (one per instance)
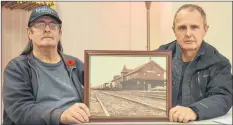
(20, 90)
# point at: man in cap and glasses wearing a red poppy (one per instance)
(43, 85)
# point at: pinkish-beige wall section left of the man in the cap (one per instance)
(14, 37)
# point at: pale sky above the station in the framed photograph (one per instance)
(103, 68)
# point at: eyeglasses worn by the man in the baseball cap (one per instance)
(42, 25)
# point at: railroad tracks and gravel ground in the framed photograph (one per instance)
(110, 103)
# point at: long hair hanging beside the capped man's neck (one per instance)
(28, 49)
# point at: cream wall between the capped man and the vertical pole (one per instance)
(102, 25)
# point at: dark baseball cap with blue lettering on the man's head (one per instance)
(43, 11)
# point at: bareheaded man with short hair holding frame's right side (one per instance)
(201, 76)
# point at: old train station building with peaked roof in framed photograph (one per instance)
(144, 77)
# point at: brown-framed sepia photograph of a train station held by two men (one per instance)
(127, 85)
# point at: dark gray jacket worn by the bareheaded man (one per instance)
(207, 81)
